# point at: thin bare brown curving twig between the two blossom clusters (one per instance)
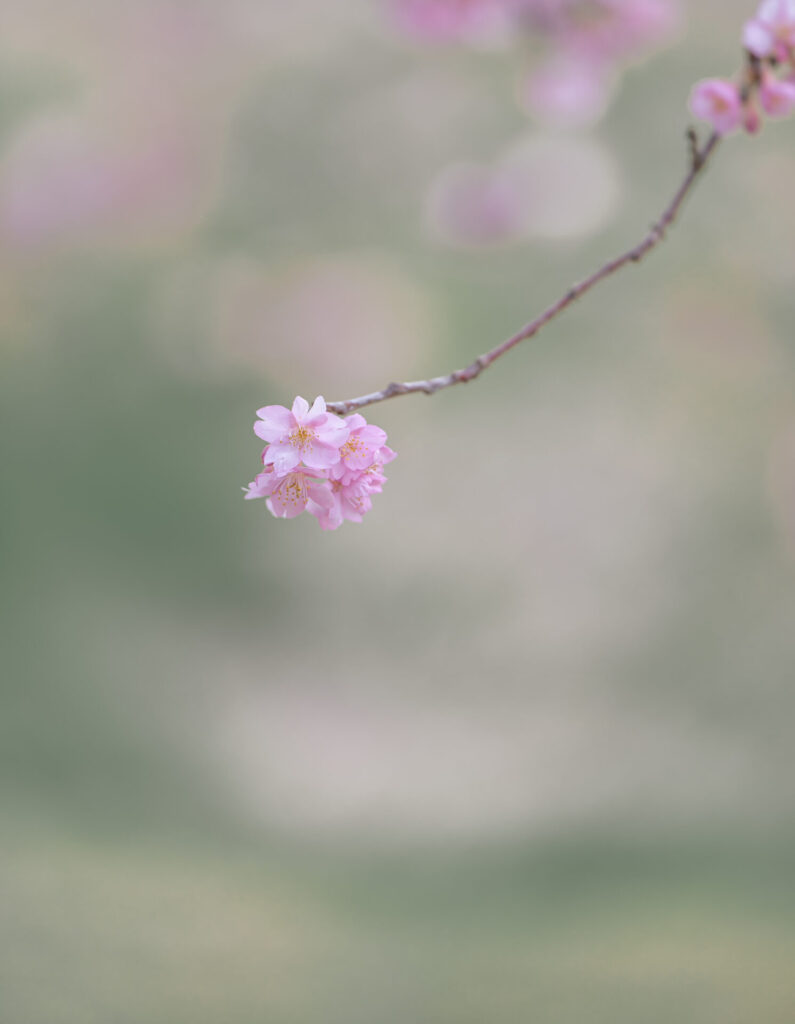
(699, 156)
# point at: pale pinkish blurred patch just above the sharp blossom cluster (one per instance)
(326, 323)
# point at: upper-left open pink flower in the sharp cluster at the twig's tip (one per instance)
(302, 435)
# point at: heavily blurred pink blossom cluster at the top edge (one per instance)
(584, 42)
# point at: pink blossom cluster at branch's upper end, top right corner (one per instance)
(768, 78)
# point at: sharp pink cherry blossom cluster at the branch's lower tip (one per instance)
(319, 463)
